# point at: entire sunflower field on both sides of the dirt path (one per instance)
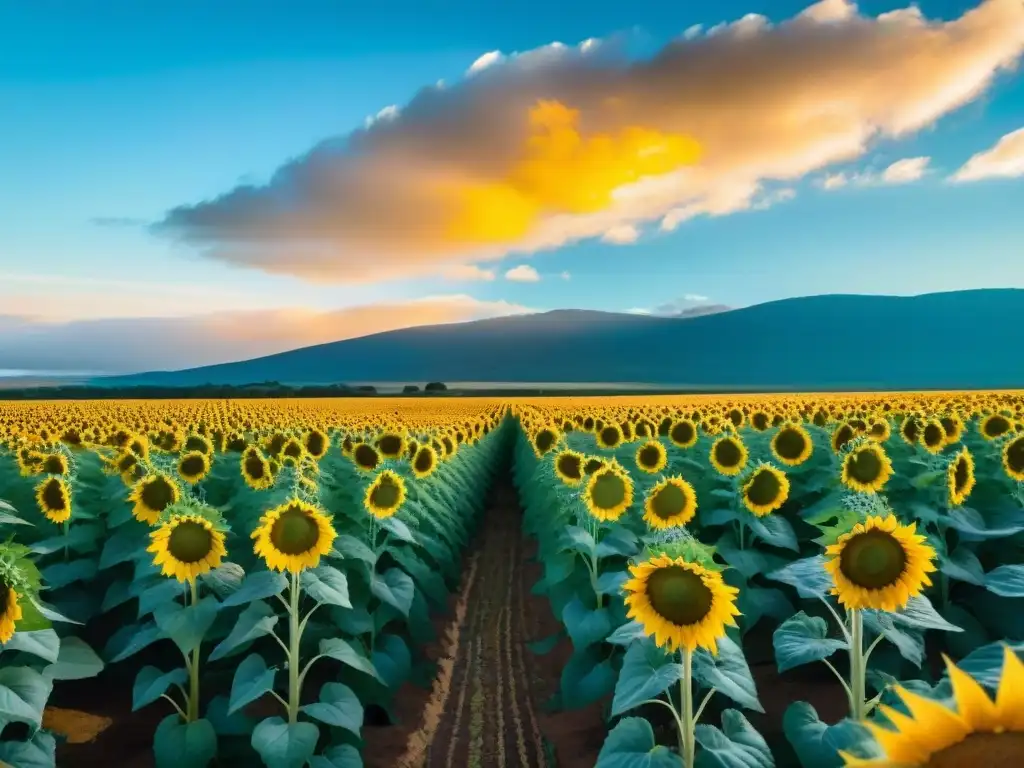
(267, 573)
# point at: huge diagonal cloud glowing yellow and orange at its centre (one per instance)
(476, 170)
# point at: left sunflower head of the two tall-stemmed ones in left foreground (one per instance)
(187, 546)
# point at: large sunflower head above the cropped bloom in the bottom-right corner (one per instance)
(880, 565)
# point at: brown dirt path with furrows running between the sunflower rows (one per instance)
(486, 707)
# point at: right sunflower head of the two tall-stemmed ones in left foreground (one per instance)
(293, 537)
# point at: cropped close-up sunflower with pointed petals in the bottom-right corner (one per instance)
(980, 733)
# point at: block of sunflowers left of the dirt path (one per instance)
(282, 552)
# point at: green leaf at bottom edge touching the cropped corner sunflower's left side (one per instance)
(818, 745)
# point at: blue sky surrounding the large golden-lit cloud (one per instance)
(118, 112)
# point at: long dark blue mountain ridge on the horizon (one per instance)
(956, 340)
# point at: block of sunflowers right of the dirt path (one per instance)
(690, 543)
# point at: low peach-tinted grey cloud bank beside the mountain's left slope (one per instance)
(133, 345)
